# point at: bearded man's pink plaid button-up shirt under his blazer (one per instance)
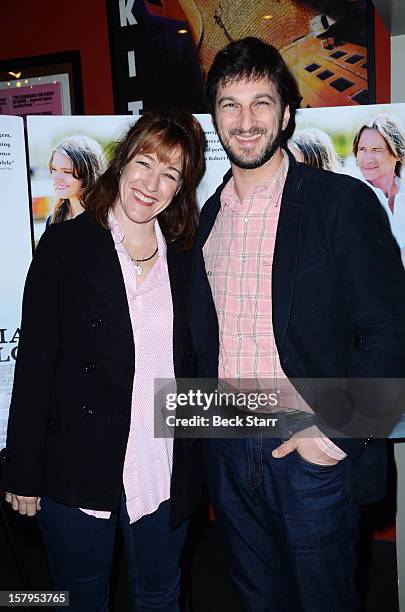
(238, 257)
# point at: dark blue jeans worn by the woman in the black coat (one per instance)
(80, 551)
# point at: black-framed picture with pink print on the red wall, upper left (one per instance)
(41, 85)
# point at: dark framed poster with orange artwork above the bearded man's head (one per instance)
(161, 50)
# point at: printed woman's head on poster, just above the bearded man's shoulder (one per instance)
(315, 148)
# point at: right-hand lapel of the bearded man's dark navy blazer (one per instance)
(286, 250)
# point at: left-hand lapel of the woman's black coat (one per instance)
(102, 265)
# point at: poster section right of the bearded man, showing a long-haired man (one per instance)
(364, 142)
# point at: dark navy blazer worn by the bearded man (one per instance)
(338, 296)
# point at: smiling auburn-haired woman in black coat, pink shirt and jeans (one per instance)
(111, 289)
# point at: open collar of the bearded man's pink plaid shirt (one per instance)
(273, 187)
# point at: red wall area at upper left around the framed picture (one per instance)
(38, 27)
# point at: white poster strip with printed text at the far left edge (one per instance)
(15, 252)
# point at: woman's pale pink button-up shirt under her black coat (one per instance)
(148, 460)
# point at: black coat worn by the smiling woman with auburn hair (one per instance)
(71, 404)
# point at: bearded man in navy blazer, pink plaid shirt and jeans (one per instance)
(296, 276)
